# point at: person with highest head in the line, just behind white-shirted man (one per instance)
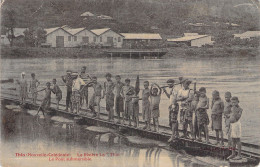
(84, 93)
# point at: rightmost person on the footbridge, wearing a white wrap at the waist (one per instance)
(235, 128)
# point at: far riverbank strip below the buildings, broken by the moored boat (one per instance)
(32, 52)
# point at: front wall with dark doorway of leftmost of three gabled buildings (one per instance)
(51, 38)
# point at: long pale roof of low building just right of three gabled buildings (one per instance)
(141, 36)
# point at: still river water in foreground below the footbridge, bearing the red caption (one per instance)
(28, 142)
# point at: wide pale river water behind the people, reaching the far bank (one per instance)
(239, 75)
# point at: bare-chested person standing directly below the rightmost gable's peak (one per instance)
(108, 92)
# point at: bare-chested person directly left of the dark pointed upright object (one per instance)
(126, 92)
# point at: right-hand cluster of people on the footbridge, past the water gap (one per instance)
(193, 105)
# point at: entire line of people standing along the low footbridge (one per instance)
(123, 99)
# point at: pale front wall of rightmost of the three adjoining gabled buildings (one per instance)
(115, 36)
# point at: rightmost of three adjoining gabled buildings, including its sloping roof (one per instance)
(108, 38)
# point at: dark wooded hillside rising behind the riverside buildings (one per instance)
(170, 16)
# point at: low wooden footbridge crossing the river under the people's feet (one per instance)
(250, 152)
